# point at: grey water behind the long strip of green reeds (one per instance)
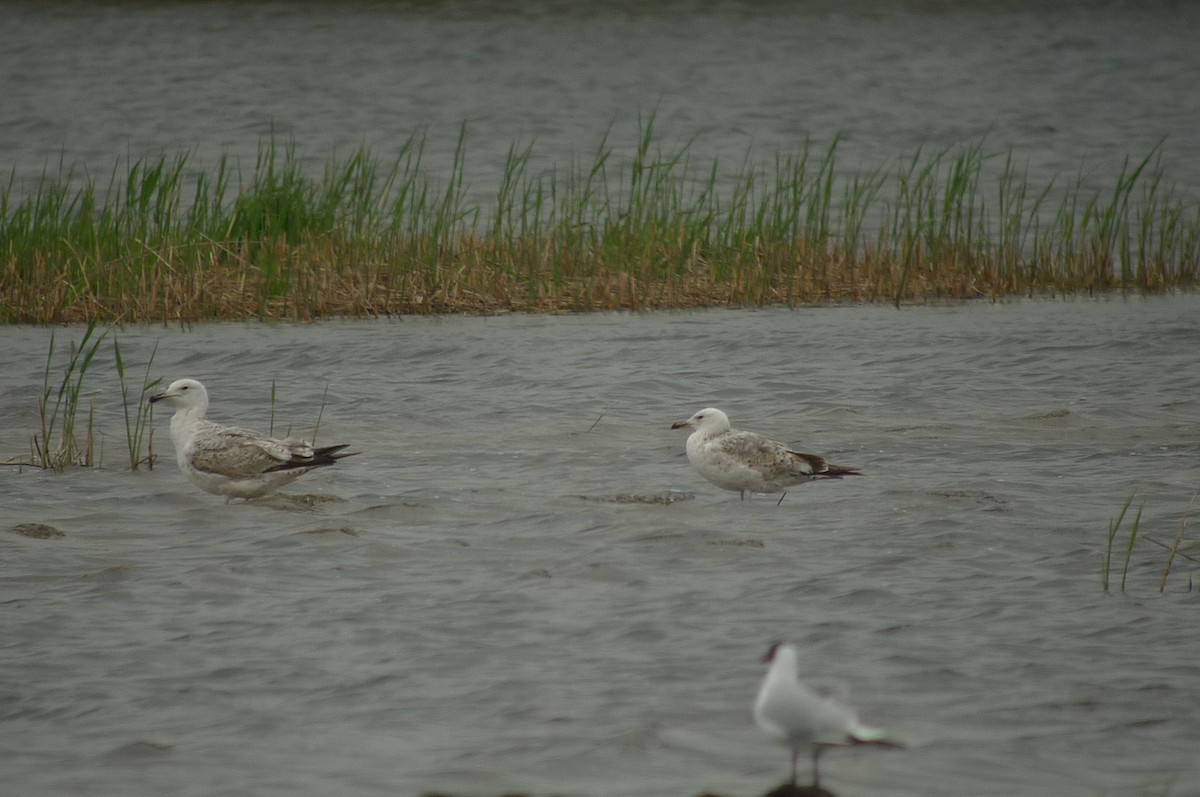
(1071, 89)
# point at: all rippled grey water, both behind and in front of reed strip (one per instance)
(521, 585)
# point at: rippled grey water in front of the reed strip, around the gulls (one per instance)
(524, 586)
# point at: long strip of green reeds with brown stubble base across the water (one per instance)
(170, 242)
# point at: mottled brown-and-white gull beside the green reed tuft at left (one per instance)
(230, 462)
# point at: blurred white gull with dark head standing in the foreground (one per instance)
(801, 717)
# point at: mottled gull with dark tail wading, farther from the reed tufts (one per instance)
(747, 462)
